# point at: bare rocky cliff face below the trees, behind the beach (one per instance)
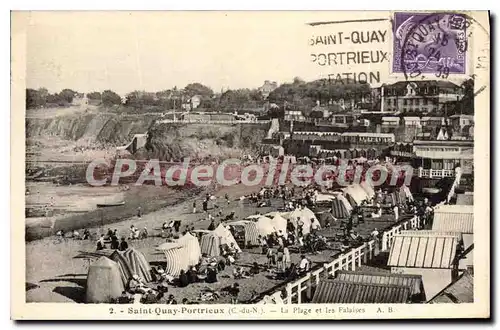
(167, 141)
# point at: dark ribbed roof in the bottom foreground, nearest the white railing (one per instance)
(340, 292)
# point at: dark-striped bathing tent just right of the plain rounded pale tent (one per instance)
(132, 262)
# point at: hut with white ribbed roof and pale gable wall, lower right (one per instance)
(428, 254)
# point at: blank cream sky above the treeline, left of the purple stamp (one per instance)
(152, 51)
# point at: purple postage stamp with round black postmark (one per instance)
(429, 43)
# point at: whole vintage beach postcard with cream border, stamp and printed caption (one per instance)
(250, 165)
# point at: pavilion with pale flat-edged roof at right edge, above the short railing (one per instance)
(439, 158)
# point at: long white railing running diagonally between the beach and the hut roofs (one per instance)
(346, 261)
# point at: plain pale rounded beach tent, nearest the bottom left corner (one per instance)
(104, 282)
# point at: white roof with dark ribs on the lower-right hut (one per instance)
(418, 251)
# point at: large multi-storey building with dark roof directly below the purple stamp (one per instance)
(418, 96)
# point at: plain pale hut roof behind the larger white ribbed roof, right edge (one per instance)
(454, 218)
